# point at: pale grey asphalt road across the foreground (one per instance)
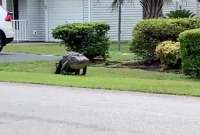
(44, 110)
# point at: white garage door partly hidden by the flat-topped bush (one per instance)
(63, 11)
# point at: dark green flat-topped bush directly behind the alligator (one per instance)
(89, 39)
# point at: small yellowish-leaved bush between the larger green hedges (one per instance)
(168, 52)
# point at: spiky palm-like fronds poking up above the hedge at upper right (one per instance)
(182, 13)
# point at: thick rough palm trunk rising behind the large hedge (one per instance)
(152, 8)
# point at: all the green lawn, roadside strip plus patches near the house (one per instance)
(97, 77)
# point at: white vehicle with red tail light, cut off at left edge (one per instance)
(6, 29)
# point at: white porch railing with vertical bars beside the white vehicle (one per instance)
(20, 29)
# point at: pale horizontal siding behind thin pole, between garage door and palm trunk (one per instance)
(101, 11)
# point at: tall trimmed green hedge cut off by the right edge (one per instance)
(190, 52)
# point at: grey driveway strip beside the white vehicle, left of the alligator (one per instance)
(24, 57)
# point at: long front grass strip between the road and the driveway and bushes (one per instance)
(101, 77)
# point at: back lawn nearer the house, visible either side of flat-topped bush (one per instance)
(57, 49)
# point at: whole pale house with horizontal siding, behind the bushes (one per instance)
(35, 19)
